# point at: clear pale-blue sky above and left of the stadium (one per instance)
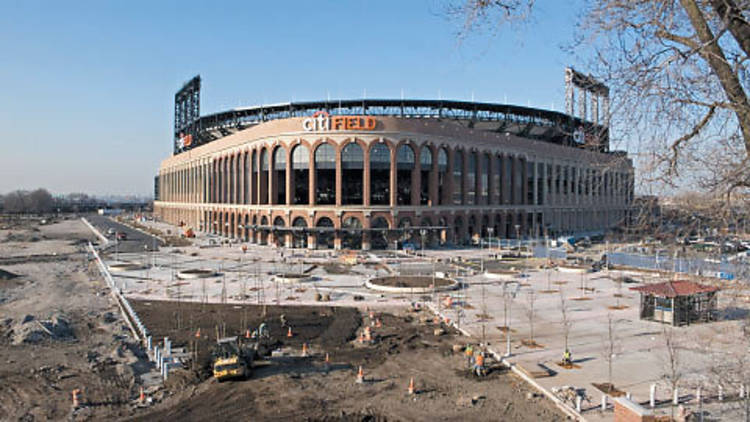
(88, 87)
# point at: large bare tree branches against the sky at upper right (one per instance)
(678, 71)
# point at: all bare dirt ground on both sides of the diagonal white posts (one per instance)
(60, 330)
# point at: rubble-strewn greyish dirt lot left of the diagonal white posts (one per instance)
(87, 347)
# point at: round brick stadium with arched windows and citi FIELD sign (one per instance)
(375, 174)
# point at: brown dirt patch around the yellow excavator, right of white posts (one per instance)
(297, 388)
